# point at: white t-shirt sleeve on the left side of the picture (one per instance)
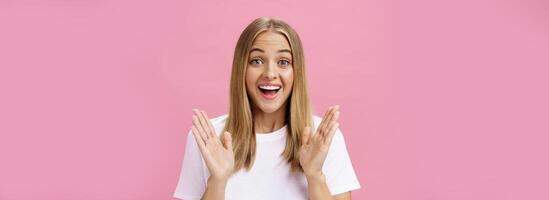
(192, 183)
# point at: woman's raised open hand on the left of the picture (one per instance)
(219, 156)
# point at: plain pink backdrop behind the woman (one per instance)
(440, 99)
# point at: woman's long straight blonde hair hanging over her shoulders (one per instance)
(298, 112)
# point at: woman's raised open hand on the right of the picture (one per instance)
(314, 149)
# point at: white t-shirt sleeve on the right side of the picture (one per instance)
(338, 169)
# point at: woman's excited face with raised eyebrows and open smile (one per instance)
(269, 73)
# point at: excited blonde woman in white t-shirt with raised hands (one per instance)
(265, 147)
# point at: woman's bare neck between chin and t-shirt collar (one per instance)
(269, 122)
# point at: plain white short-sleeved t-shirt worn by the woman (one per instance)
(270, 176)
